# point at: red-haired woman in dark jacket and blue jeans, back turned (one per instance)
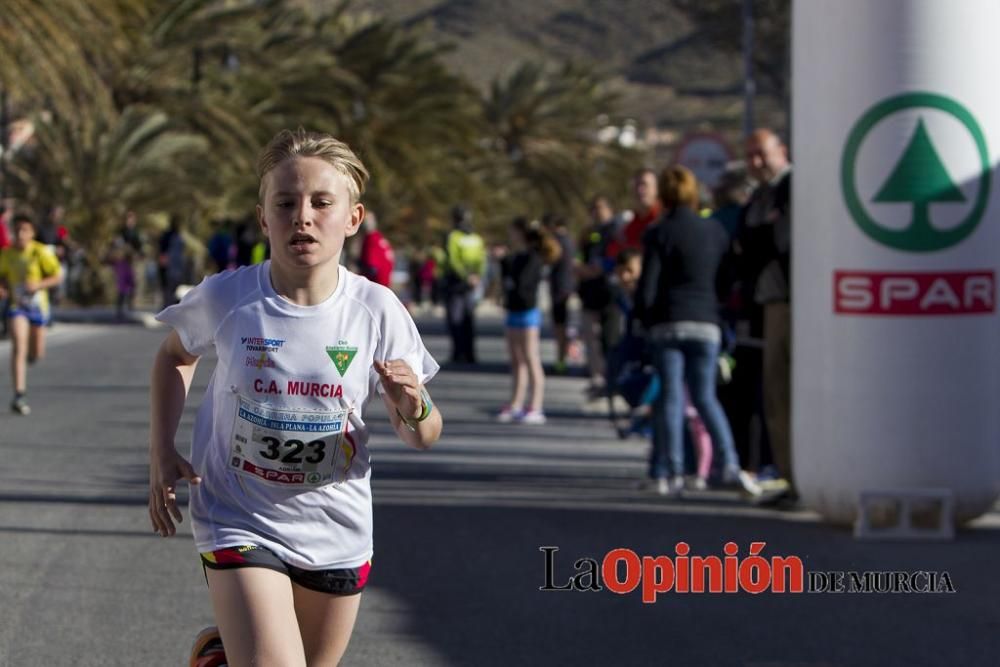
(677, 305)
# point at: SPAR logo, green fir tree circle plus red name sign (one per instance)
(916, 176)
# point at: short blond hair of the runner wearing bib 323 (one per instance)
(300, 143)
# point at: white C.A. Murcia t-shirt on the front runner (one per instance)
(279, 439)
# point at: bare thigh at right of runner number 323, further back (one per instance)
(326, 622)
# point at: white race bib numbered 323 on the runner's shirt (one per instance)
(286, 447)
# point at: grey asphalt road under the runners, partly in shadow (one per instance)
(458, 531)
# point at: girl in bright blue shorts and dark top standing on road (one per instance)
(521, 273)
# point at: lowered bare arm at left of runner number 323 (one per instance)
(173, 371)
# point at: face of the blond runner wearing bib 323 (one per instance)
(307, 213)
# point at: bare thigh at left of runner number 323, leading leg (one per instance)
(255, 612)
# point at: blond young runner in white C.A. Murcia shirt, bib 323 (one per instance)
(281, 504)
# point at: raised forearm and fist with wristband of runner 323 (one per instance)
(403, 397)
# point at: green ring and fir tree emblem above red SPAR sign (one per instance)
(919, 177)
